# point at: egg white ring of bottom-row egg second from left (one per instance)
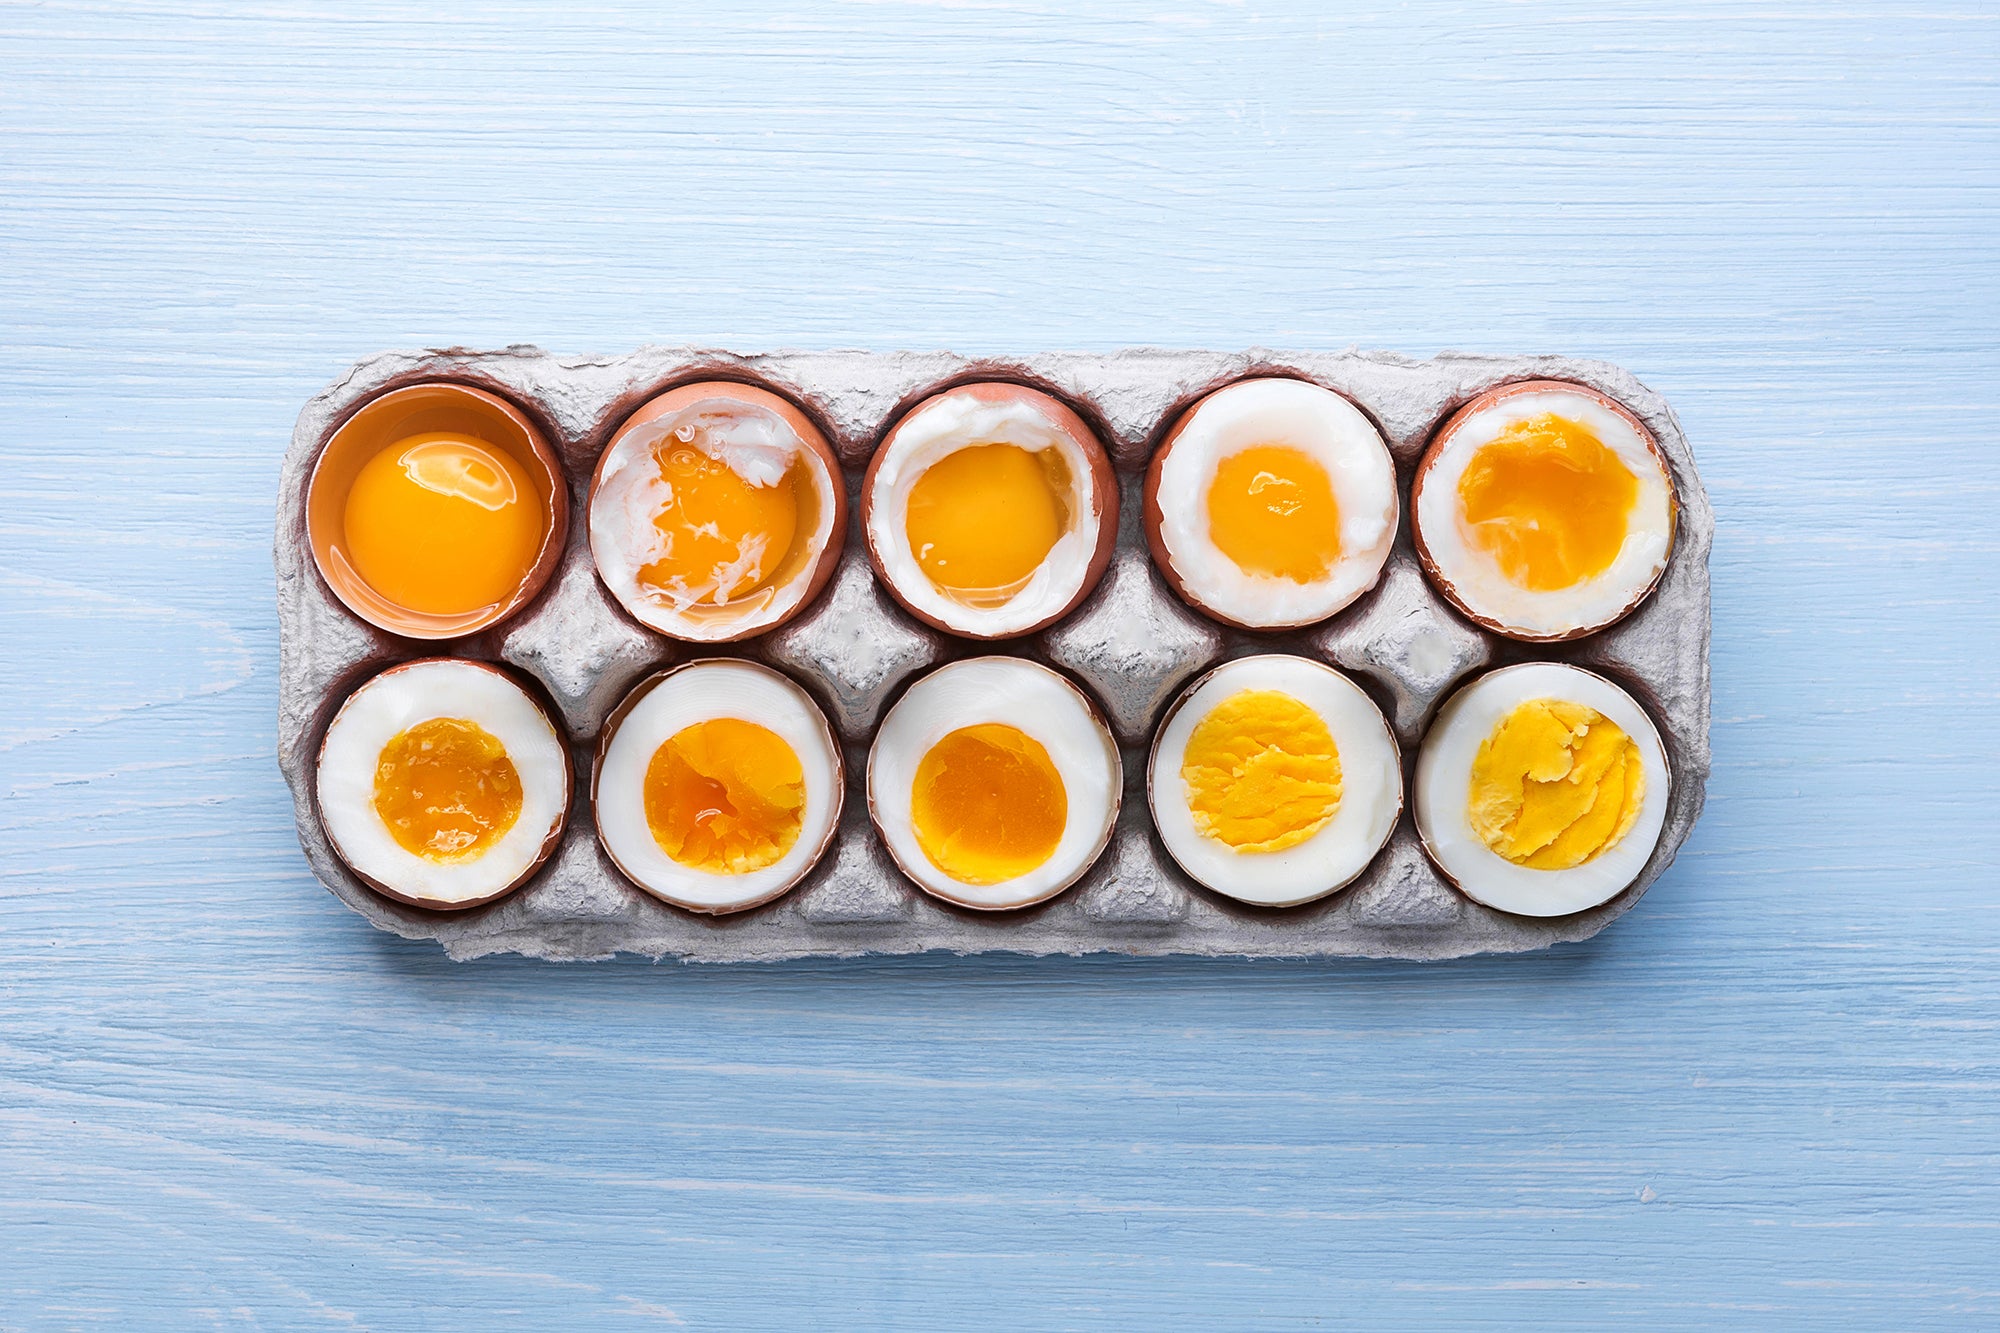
(699, 694)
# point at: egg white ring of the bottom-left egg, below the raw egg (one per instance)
(399, 700)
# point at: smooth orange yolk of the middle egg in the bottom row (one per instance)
(989, 804)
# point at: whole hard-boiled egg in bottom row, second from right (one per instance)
(1275, 780)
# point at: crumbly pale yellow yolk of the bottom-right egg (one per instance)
(1555, 786)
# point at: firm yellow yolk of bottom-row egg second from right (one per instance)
(1263, 772)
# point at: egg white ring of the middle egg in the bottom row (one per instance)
(1031, 700)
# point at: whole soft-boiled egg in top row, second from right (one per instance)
(1271, 505)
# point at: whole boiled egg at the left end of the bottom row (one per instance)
(443, 784)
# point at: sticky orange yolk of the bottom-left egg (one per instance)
(447, 790)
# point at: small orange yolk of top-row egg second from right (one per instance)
(1273, 511)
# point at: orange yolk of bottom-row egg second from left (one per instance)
(725, 796)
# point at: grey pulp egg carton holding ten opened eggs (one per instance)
(1133, 645)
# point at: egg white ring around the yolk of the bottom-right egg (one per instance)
(1445, 784)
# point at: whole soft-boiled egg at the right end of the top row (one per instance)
(1545, 511)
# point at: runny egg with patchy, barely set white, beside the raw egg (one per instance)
(717, 513)
